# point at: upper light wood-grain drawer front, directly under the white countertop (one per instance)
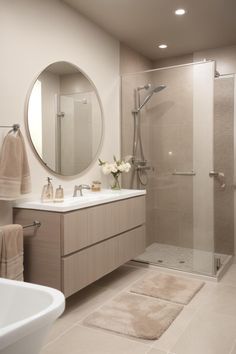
(86, 227)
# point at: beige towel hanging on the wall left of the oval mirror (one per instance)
(14, 167)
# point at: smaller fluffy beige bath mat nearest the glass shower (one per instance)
(168, 287)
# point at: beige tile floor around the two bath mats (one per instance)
(207, 325)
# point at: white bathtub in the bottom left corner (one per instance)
(27, 313)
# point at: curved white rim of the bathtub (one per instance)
(20, 329)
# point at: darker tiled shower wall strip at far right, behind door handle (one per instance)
(224, 162)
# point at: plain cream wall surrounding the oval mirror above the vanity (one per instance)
(33, 34)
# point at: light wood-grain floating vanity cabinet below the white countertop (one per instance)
(73, 249)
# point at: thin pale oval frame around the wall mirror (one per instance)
(36, 154)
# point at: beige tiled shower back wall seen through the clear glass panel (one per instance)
(171, 140)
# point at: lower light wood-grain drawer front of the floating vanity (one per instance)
(90, 264)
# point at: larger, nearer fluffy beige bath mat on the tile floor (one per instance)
(135, 315)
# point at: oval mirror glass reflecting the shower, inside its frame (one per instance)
(65, 119)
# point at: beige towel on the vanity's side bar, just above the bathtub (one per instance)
(11, 252)
